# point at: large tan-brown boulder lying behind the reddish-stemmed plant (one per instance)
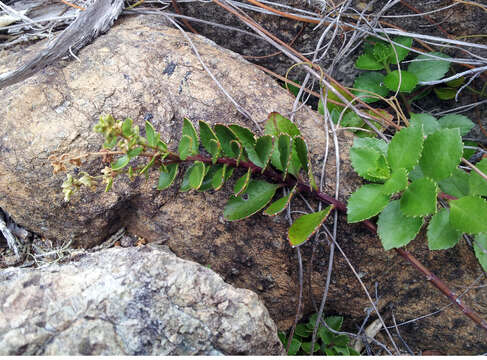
(141, 68)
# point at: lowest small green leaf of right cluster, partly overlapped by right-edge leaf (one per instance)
(441, 235)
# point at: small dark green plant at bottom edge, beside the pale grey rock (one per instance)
(328, 343)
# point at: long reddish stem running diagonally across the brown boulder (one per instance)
(304, 188)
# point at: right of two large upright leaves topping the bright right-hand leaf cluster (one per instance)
(441, 153)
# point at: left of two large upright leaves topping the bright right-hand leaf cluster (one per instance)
(405, 148)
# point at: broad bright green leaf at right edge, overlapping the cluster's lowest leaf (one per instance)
(469, 214)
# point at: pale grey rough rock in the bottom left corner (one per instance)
(134, 301)
